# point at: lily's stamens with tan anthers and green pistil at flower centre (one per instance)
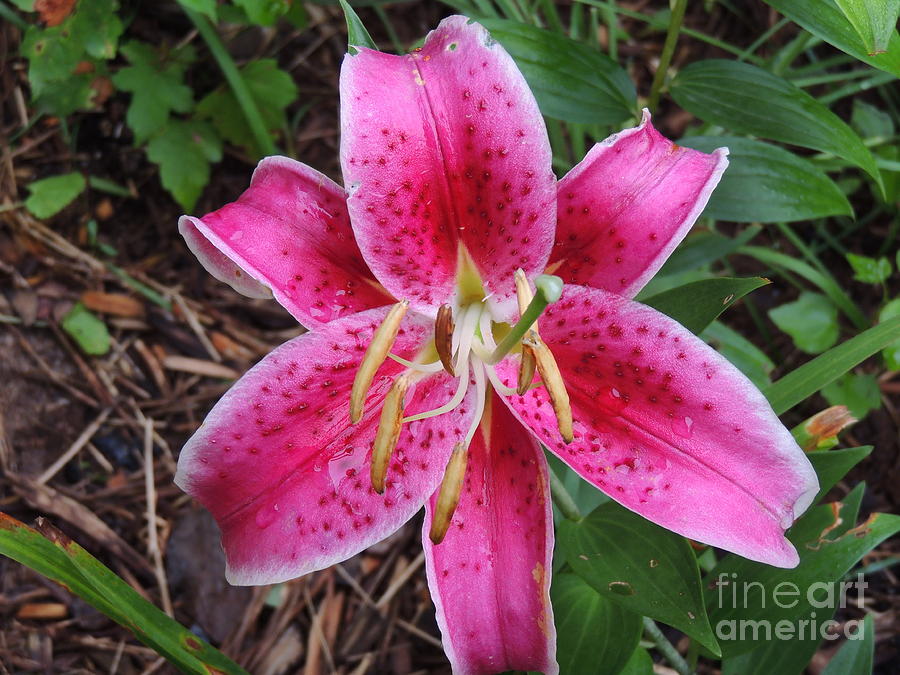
(466, 348)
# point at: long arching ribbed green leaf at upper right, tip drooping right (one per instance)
(747, 99)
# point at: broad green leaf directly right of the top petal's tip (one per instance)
(570, 80)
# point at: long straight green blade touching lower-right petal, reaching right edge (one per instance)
(809, 378)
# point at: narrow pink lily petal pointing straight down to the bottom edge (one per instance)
(490, 577)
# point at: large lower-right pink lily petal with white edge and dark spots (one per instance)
(668, 428)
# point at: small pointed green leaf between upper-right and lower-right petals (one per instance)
(697, 304)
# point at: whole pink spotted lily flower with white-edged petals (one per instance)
(416, 385)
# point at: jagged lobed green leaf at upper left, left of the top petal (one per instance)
(157, 89)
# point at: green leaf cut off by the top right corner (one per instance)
(825, 20)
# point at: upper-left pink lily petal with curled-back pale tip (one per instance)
(289, 231)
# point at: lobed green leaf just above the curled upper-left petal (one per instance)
(184, 151)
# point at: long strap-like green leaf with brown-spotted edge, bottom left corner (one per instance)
(51, 553)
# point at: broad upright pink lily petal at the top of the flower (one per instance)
(441, 148)
